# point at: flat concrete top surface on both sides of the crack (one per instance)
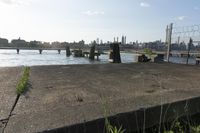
(60, 96)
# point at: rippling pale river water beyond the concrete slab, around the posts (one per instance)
(9, 58)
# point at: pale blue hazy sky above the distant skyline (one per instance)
(75, 20)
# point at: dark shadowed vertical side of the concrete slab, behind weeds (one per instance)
(138, 120)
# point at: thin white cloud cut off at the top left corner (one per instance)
(15, 2)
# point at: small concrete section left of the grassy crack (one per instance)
(8, 80)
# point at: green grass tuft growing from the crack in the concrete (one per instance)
(22, 84)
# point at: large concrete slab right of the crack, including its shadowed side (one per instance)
(72, 95)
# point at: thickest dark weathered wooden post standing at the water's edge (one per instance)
(115, 53)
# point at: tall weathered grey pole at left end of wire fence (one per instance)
(169, 39)
